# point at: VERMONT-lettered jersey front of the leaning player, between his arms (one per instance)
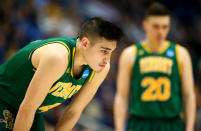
(66, 86)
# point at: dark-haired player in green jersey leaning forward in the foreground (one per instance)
(45, 73)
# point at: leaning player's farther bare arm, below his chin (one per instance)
(83, 97)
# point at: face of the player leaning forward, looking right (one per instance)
(99, 53)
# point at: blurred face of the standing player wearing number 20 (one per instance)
(157, 27)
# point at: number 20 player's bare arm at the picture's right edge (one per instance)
(187, 88)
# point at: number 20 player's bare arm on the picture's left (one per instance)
(123, 86)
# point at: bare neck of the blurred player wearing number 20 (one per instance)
(154, 46)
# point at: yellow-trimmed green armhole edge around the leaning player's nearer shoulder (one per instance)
(52, 42)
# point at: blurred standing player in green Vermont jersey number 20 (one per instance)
(155, 81)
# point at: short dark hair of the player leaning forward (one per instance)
(100, 27)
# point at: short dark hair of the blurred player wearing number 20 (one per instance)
(157, 9)
